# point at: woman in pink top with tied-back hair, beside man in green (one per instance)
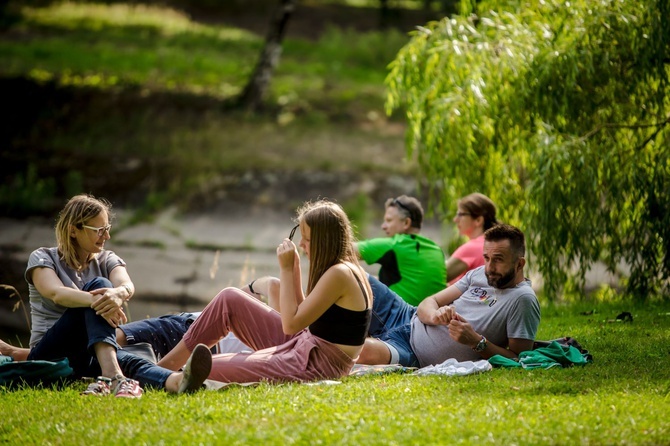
(476, 213)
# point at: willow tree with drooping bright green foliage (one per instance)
(560, 112)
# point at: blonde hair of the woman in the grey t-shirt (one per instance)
(77, 212)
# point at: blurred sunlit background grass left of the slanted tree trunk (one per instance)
(106, 46)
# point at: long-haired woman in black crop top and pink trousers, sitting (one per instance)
(315, 336)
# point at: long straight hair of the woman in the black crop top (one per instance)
(331, 238)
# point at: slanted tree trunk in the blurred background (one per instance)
(253, 95)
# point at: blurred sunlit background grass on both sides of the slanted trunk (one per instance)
(162, 49)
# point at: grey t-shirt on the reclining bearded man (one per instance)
(496, 314)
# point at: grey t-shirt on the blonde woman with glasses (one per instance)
(45, 312)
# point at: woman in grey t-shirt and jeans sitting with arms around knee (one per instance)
(77, 290)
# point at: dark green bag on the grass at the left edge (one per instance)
(37, 372)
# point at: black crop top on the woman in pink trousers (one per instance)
(342, 326)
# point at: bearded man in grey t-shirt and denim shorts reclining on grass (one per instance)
(491, 310)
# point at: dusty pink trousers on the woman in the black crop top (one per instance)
(278, 357)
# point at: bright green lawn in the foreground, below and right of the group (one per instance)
(623, 397)
